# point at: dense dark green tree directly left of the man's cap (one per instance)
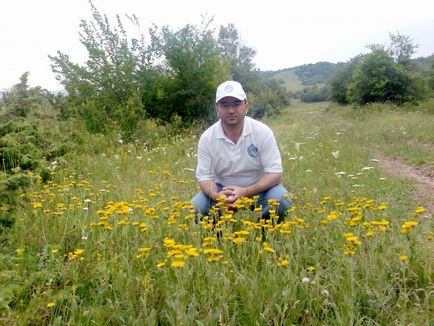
(191, 70)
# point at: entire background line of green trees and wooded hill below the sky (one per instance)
(171, 76)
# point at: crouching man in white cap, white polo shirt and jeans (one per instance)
(238, 157)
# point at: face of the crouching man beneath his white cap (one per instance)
(232, 111)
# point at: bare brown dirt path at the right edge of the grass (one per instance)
(422, 178)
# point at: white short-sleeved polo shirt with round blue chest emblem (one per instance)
(241, 164)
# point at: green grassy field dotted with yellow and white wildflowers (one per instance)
(111, 240)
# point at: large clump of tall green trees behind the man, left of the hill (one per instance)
(125, 81)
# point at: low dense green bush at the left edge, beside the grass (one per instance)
(29, 148)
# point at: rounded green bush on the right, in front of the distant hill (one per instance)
(383, 75)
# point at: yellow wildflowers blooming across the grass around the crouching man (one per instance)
(151, 211)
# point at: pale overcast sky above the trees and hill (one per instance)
(284, 33)
